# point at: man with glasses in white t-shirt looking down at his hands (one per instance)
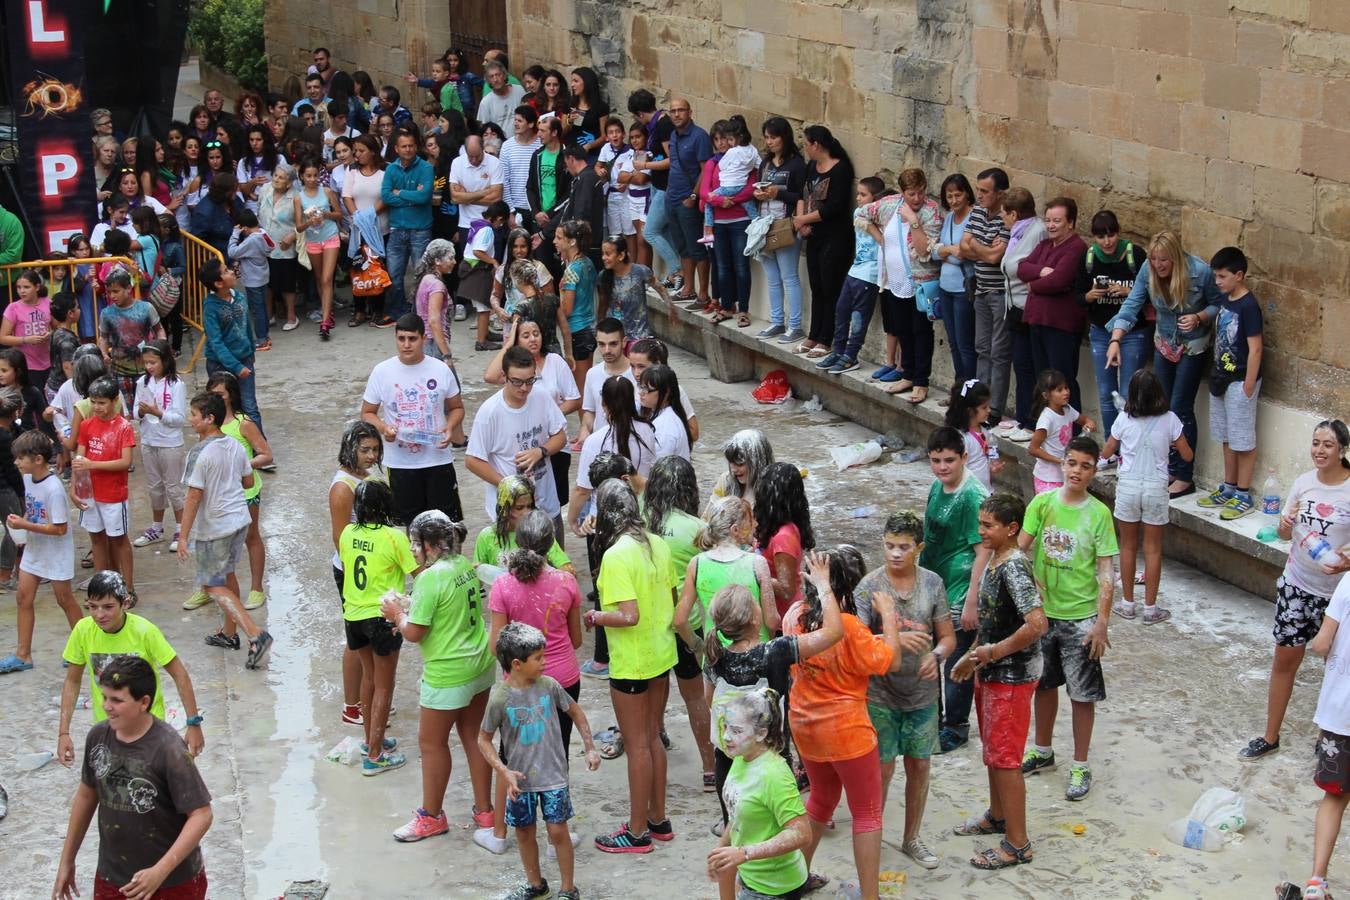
(515, 434)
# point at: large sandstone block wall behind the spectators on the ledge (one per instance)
(1228, 119)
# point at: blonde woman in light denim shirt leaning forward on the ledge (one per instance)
(1186, 299)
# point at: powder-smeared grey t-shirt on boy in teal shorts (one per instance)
(921, 612)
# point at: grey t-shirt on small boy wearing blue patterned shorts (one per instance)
(529, 723)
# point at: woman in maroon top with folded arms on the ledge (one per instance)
(1054, 308)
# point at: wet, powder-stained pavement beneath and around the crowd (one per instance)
(1185, 697)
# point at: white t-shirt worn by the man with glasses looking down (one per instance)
(500, 432)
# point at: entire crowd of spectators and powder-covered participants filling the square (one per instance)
(805, 671)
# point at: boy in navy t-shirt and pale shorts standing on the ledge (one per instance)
(1235, 385)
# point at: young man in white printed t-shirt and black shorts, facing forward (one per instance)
(415, 403)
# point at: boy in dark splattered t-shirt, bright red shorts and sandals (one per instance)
(1008, 662)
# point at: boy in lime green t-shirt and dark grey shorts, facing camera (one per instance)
(1073, 543)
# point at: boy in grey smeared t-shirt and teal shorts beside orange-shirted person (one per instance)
(904, 705)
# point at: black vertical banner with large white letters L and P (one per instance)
(52, 113)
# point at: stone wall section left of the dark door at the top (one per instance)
(387, 38)
